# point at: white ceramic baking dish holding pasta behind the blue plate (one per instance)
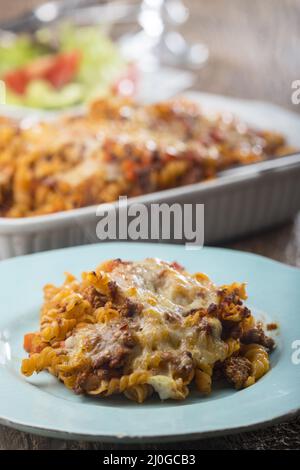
(240, 201)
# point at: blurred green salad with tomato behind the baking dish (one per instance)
(82, 64)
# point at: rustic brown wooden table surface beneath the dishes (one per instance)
(254, 53)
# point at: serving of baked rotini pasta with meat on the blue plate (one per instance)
(138, 328)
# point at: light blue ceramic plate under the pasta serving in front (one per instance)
(42, 405)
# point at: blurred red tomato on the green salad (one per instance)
(58, 69)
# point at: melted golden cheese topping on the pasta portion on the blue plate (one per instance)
(165, 342)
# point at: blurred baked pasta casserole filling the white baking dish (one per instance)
(120, 148)
